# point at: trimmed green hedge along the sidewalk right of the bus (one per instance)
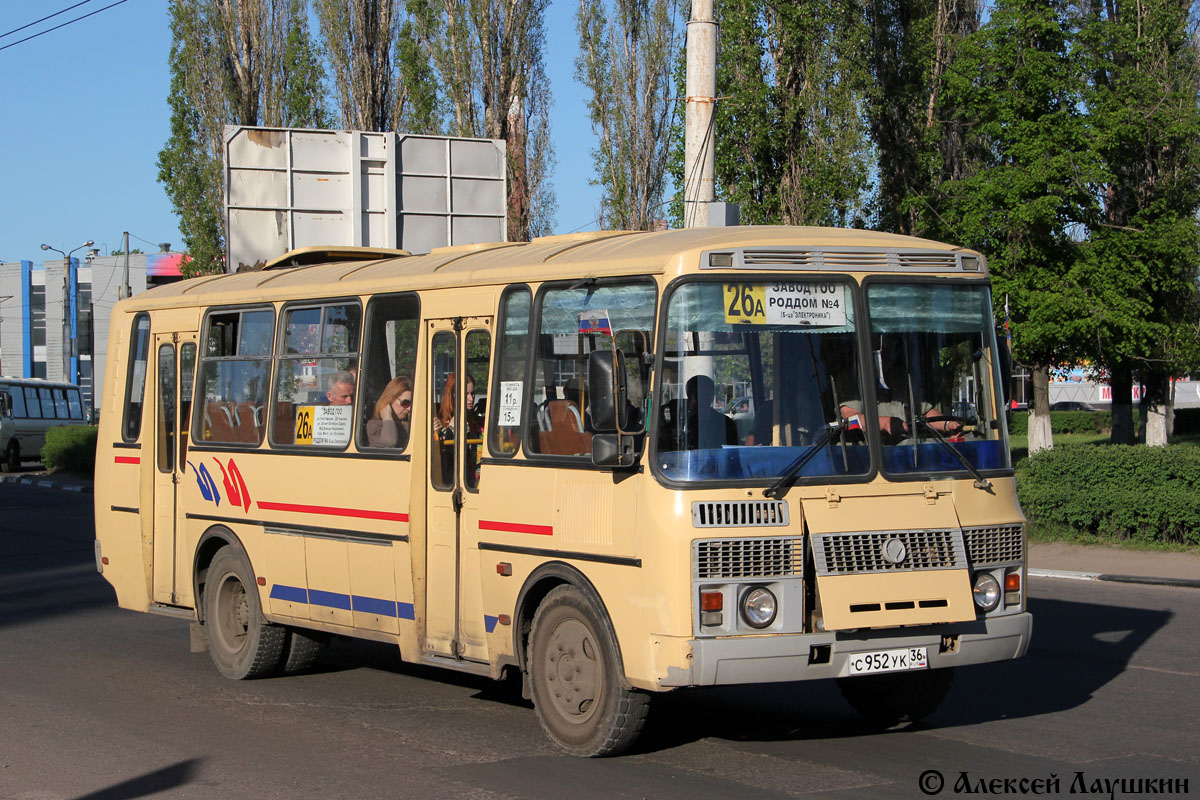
(1147, 495)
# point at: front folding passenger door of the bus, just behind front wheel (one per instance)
(460, 353)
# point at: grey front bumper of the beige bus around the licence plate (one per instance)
(811, 657)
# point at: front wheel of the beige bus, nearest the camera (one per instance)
(578, 691)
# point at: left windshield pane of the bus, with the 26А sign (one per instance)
(755, 375)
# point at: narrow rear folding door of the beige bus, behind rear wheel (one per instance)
(175, 366)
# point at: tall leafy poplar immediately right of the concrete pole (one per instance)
(791, 141)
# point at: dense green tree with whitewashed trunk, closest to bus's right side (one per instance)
(1017, 85)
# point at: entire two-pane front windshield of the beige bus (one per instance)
(757, 375)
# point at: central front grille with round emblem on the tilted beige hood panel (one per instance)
(889, 551)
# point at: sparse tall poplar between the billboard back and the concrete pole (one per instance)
(627, 52)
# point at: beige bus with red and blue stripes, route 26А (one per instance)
(527, 458)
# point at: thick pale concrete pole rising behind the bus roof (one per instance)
(699, 129)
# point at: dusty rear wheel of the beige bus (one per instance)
(243, 645)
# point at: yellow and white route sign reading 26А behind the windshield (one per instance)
(785, 304)
